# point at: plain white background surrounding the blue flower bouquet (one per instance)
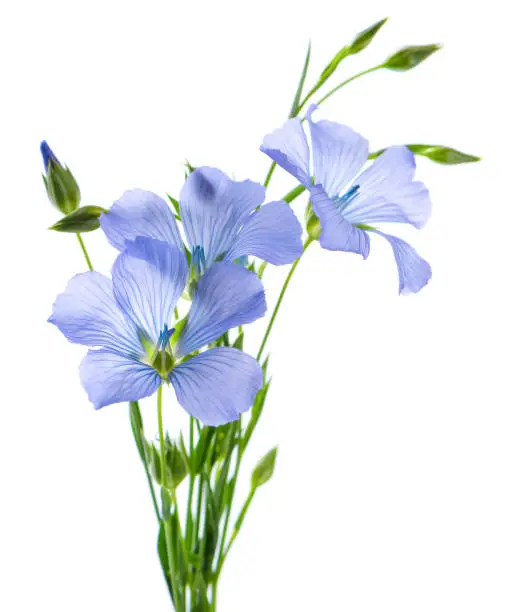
(391, 413)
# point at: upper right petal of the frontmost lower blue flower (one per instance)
(227, 295)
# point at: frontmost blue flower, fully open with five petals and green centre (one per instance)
(128, 318)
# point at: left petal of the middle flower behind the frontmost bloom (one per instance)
(140, 213)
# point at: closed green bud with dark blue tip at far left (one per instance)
(61, 186)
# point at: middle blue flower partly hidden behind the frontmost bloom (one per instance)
(222, 220)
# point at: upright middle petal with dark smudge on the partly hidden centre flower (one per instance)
(213, 208)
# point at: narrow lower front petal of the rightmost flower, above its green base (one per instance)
(337, 233)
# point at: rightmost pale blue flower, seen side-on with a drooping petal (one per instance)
(346, 199)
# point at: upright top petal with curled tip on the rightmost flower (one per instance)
(339, 153)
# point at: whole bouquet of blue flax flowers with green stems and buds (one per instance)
(187, 281)
